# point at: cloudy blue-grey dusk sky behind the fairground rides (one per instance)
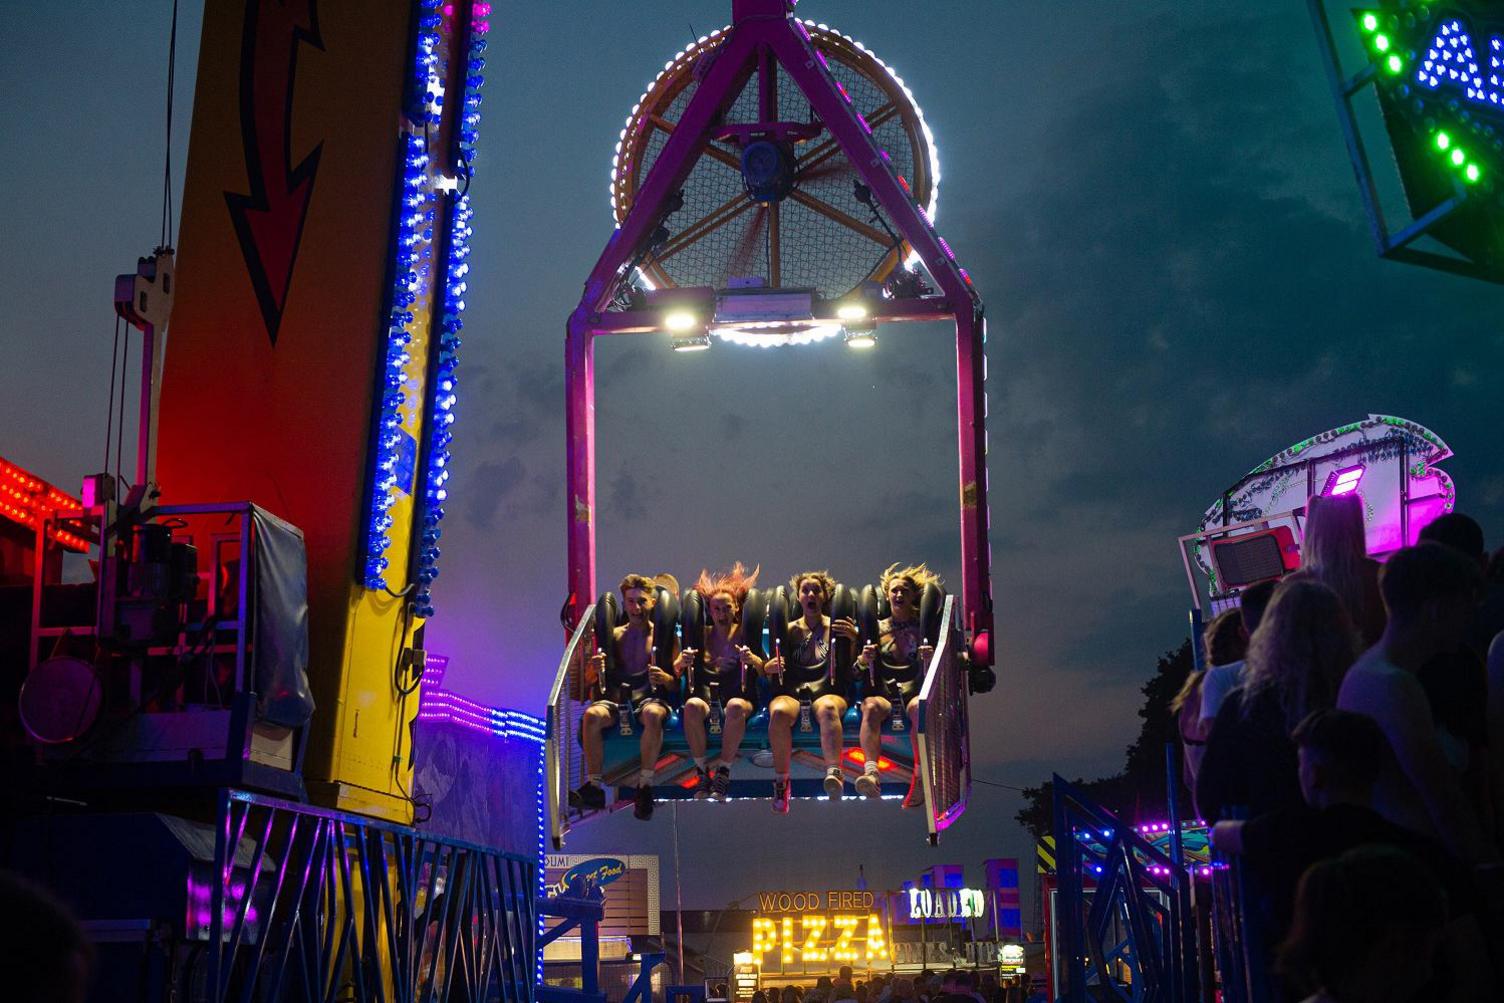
(1157, 210)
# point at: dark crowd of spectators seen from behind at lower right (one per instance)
(1347, 742)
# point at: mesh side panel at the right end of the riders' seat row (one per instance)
(945, 748)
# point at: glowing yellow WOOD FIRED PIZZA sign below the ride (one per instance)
(819, 929)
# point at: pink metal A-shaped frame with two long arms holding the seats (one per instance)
(765, 31)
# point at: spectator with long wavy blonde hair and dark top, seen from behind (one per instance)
(1296, 664)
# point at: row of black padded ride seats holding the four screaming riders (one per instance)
(766, 620)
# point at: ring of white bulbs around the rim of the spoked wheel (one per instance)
(678, 74)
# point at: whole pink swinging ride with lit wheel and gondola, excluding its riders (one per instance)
(777, 186)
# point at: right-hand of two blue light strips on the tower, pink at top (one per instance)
(444, 380)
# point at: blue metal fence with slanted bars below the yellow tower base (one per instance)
(315, 905)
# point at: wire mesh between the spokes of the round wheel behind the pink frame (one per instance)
(816, 252)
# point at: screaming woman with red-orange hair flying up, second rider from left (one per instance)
(729, 679)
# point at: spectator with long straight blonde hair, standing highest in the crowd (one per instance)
(1335, 551)
